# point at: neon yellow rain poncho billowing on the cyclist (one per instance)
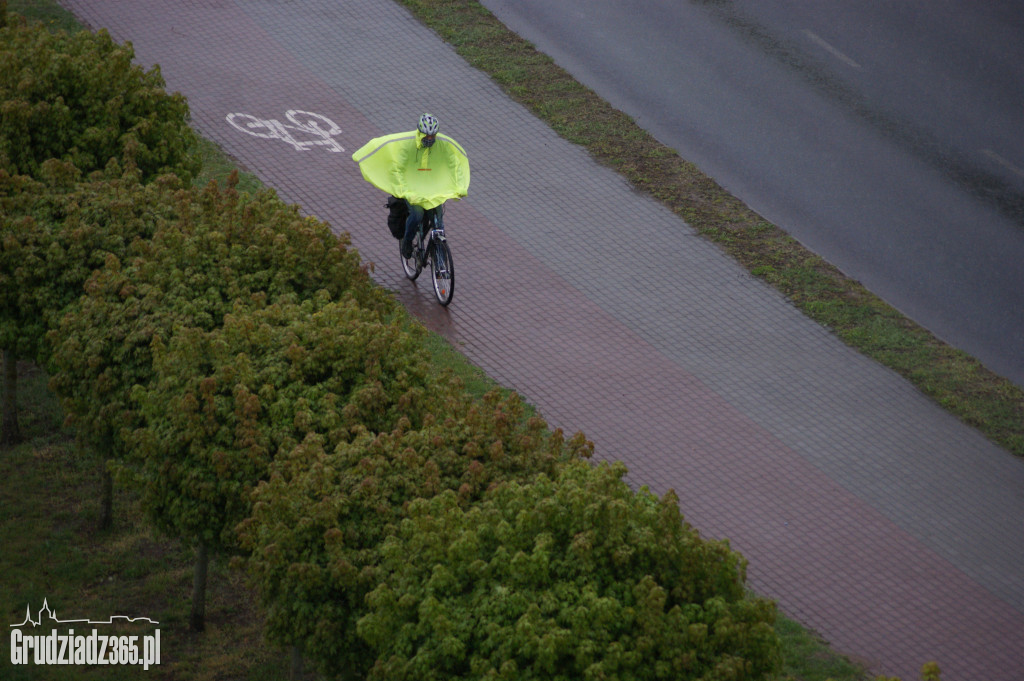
(428, 177)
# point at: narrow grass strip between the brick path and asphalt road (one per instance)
(955, 380)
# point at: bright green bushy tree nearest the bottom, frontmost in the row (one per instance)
(572, 577)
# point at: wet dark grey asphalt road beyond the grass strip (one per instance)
(885, 137)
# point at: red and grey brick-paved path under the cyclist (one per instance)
(869, 514)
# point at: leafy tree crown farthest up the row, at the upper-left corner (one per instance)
(78, 98)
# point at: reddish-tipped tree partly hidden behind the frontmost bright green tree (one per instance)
(319, 523)
